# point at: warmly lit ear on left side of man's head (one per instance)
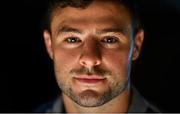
(48, 43)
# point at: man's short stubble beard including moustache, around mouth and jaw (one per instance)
(89, 97)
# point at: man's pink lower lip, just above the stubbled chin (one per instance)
(90, 81)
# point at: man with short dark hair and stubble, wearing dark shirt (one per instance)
(92, 44)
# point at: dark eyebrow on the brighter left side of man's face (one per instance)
(69, 29)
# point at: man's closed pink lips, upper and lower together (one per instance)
(89, 79)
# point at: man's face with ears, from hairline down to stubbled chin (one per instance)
(92, 50)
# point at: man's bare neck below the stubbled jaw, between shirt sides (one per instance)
(118, 104)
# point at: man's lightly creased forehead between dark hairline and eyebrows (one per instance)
(98, 13)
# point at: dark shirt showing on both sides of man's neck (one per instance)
(137, 105)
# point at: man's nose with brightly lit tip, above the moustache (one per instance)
(91, 55)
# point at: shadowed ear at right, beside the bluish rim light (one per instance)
(138, 44)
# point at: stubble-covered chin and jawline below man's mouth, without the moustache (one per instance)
(92, 98)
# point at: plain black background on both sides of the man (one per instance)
(26, 71)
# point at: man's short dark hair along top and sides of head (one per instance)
(131, 6)
